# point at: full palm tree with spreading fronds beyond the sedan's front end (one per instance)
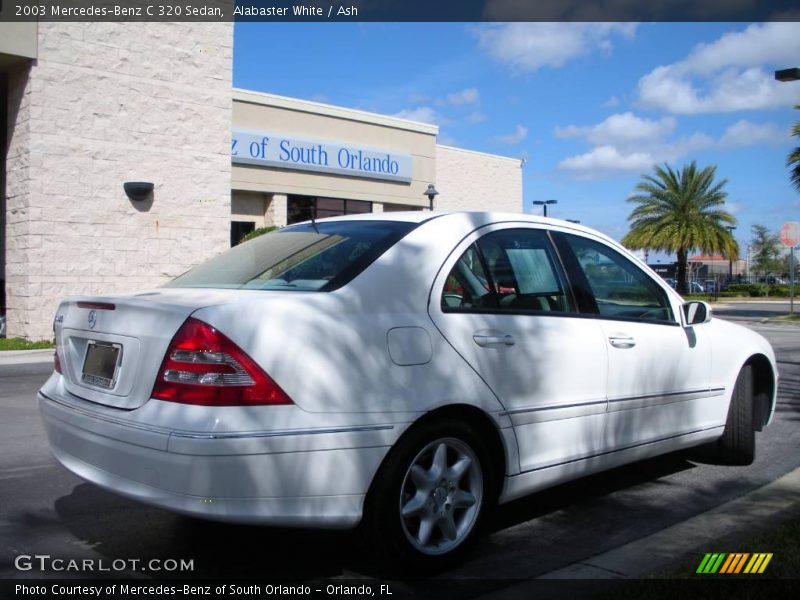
(680, 212)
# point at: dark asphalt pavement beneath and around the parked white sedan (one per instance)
(46, 510)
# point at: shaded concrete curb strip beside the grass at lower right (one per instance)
(738, 519)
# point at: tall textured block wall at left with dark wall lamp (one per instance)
(106, 103)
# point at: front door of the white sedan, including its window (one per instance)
(658, 371)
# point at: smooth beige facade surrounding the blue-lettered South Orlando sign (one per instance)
(303, 119)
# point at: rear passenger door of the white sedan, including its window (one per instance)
(502, 301)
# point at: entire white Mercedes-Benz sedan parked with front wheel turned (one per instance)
(405, 372)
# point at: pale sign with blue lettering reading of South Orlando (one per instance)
(286, 152)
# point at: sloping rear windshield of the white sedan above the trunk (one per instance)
(307, 257)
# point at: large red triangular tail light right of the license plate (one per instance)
(202, 366)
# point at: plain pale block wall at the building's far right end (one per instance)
(468, 180)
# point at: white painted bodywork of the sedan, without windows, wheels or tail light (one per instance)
(367, 361)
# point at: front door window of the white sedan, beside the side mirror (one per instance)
(619, 287)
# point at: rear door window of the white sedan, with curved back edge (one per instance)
(511, 270)
